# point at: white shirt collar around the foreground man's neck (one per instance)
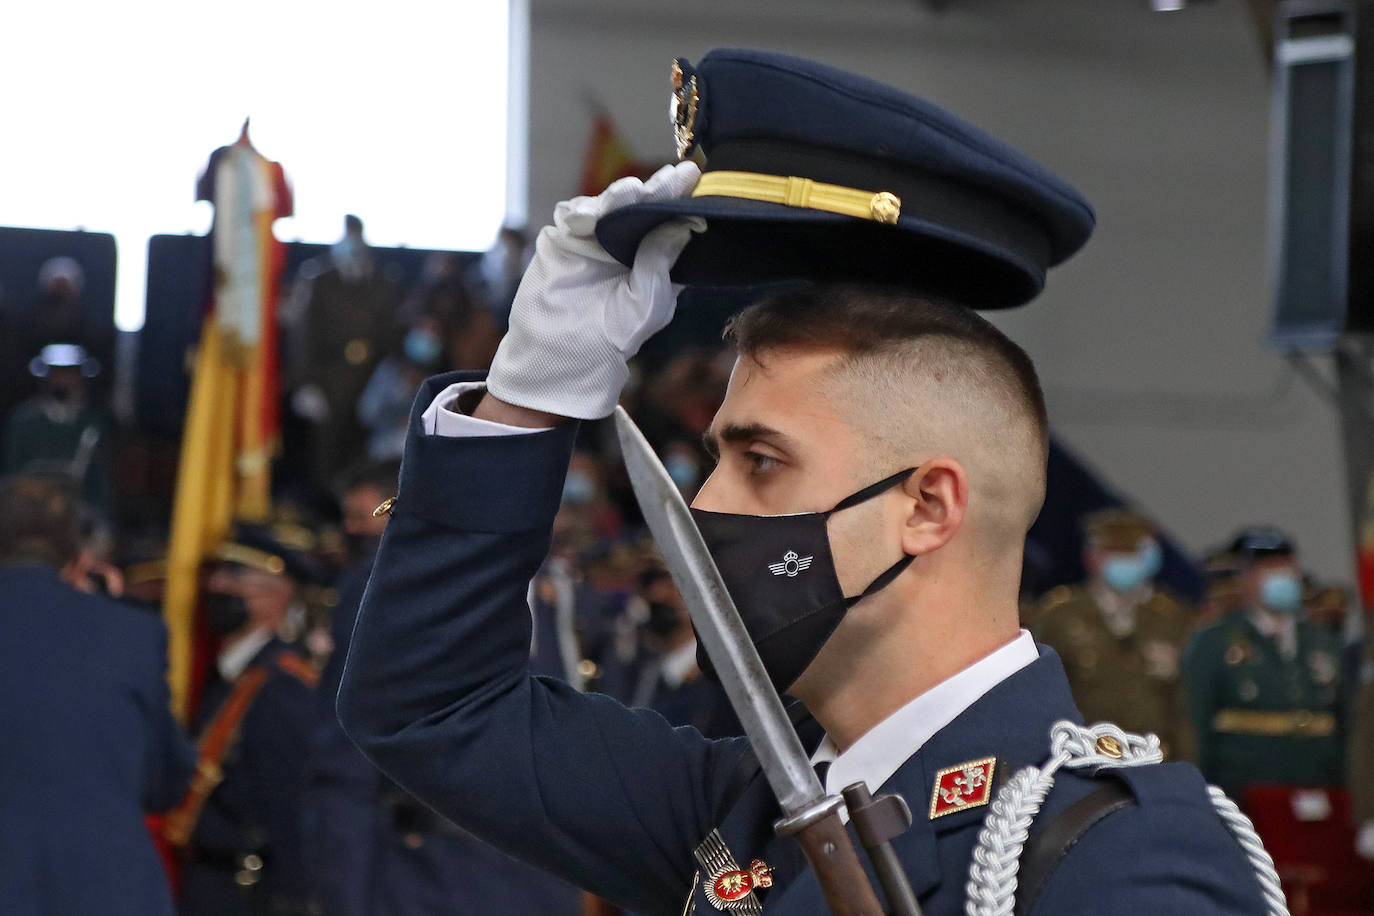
(887, 746)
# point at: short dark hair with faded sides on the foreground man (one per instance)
(898, 345)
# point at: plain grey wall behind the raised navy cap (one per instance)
(1151, 343)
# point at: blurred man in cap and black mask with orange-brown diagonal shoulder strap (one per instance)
(240, 826)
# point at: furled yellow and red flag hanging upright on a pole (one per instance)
(233, 417)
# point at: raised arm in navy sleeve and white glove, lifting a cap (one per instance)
(438, 689)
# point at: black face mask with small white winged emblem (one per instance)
(782, 577)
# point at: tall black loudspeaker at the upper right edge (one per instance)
(1322, 172)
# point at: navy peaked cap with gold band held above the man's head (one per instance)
(817, 174)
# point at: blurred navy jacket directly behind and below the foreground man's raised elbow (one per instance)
(379, 852)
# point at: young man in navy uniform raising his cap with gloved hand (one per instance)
(894, 442)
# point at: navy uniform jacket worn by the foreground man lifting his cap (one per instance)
(438, 693)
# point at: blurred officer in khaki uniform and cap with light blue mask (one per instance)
(1120, 637)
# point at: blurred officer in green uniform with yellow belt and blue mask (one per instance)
(1265, 685)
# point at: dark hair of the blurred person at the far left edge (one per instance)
(41, 521)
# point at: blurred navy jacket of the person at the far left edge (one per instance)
(90, 746)
